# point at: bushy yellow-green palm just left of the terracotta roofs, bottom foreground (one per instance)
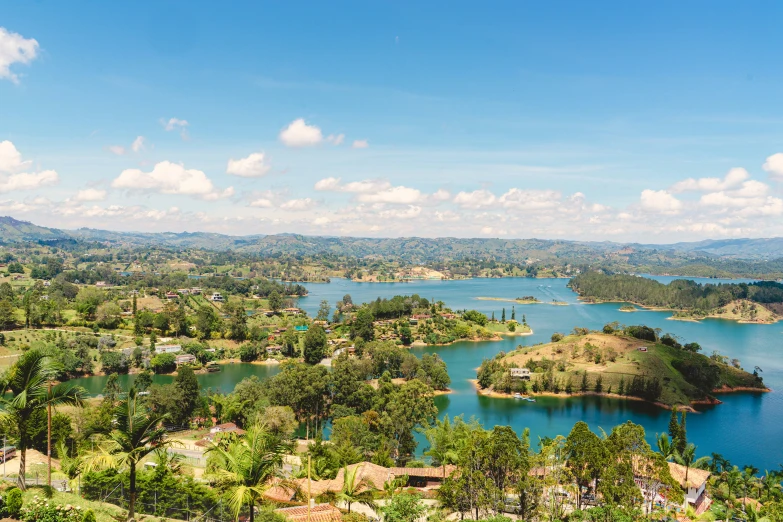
(247, 466)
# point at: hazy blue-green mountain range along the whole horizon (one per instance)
(408, 249)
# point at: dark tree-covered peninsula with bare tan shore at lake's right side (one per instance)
(749, 302)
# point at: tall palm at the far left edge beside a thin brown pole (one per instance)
(28, 380)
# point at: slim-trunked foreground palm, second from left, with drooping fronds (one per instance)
(137, 432)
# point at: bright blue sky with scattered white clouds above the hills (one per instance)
(623, 121)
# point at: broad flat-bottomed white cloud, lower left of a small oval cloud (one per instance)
(170, 178)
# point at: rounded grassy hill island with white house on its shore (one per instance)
(633, 363)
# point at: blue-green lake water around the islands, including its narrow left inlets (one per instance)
(746, 428)
